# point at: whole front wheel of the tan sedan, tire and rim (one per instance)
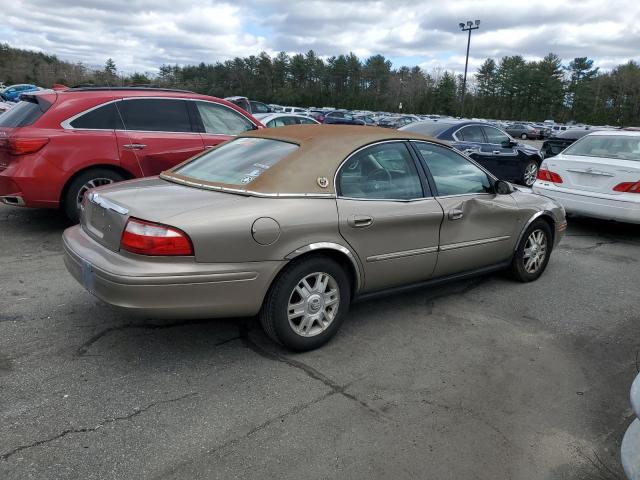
(533, 252)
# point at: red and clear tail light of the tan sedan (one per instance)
(148, 238)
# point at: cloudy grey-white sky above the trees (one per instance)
(142, 34)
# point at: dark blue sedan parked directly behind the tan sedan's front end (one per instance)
(491, 147)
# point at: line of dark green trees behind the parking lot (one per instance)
(510, 88)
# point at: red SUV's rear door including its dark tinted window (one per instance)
(159, 133)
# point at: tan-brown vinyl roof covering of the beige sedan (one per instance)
(322, 150)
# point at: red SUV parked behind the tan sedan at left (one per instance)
(56, 145)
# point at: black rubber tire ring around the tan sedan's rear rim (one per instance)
(282, 292)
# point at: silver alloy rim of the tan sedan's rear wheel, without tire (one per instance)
(313, 304)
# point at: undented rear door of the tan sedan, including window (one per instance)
(388, 215)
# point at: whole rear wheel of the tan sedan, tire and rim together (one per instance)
(286, 312)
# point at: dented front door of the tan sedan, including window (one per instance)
(480, 228)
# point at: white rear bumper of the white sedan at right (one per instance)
(592, 205)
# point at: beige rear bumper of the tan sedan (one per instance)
(167, 287)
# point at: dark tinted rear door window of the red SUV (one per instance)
(155, 115)
